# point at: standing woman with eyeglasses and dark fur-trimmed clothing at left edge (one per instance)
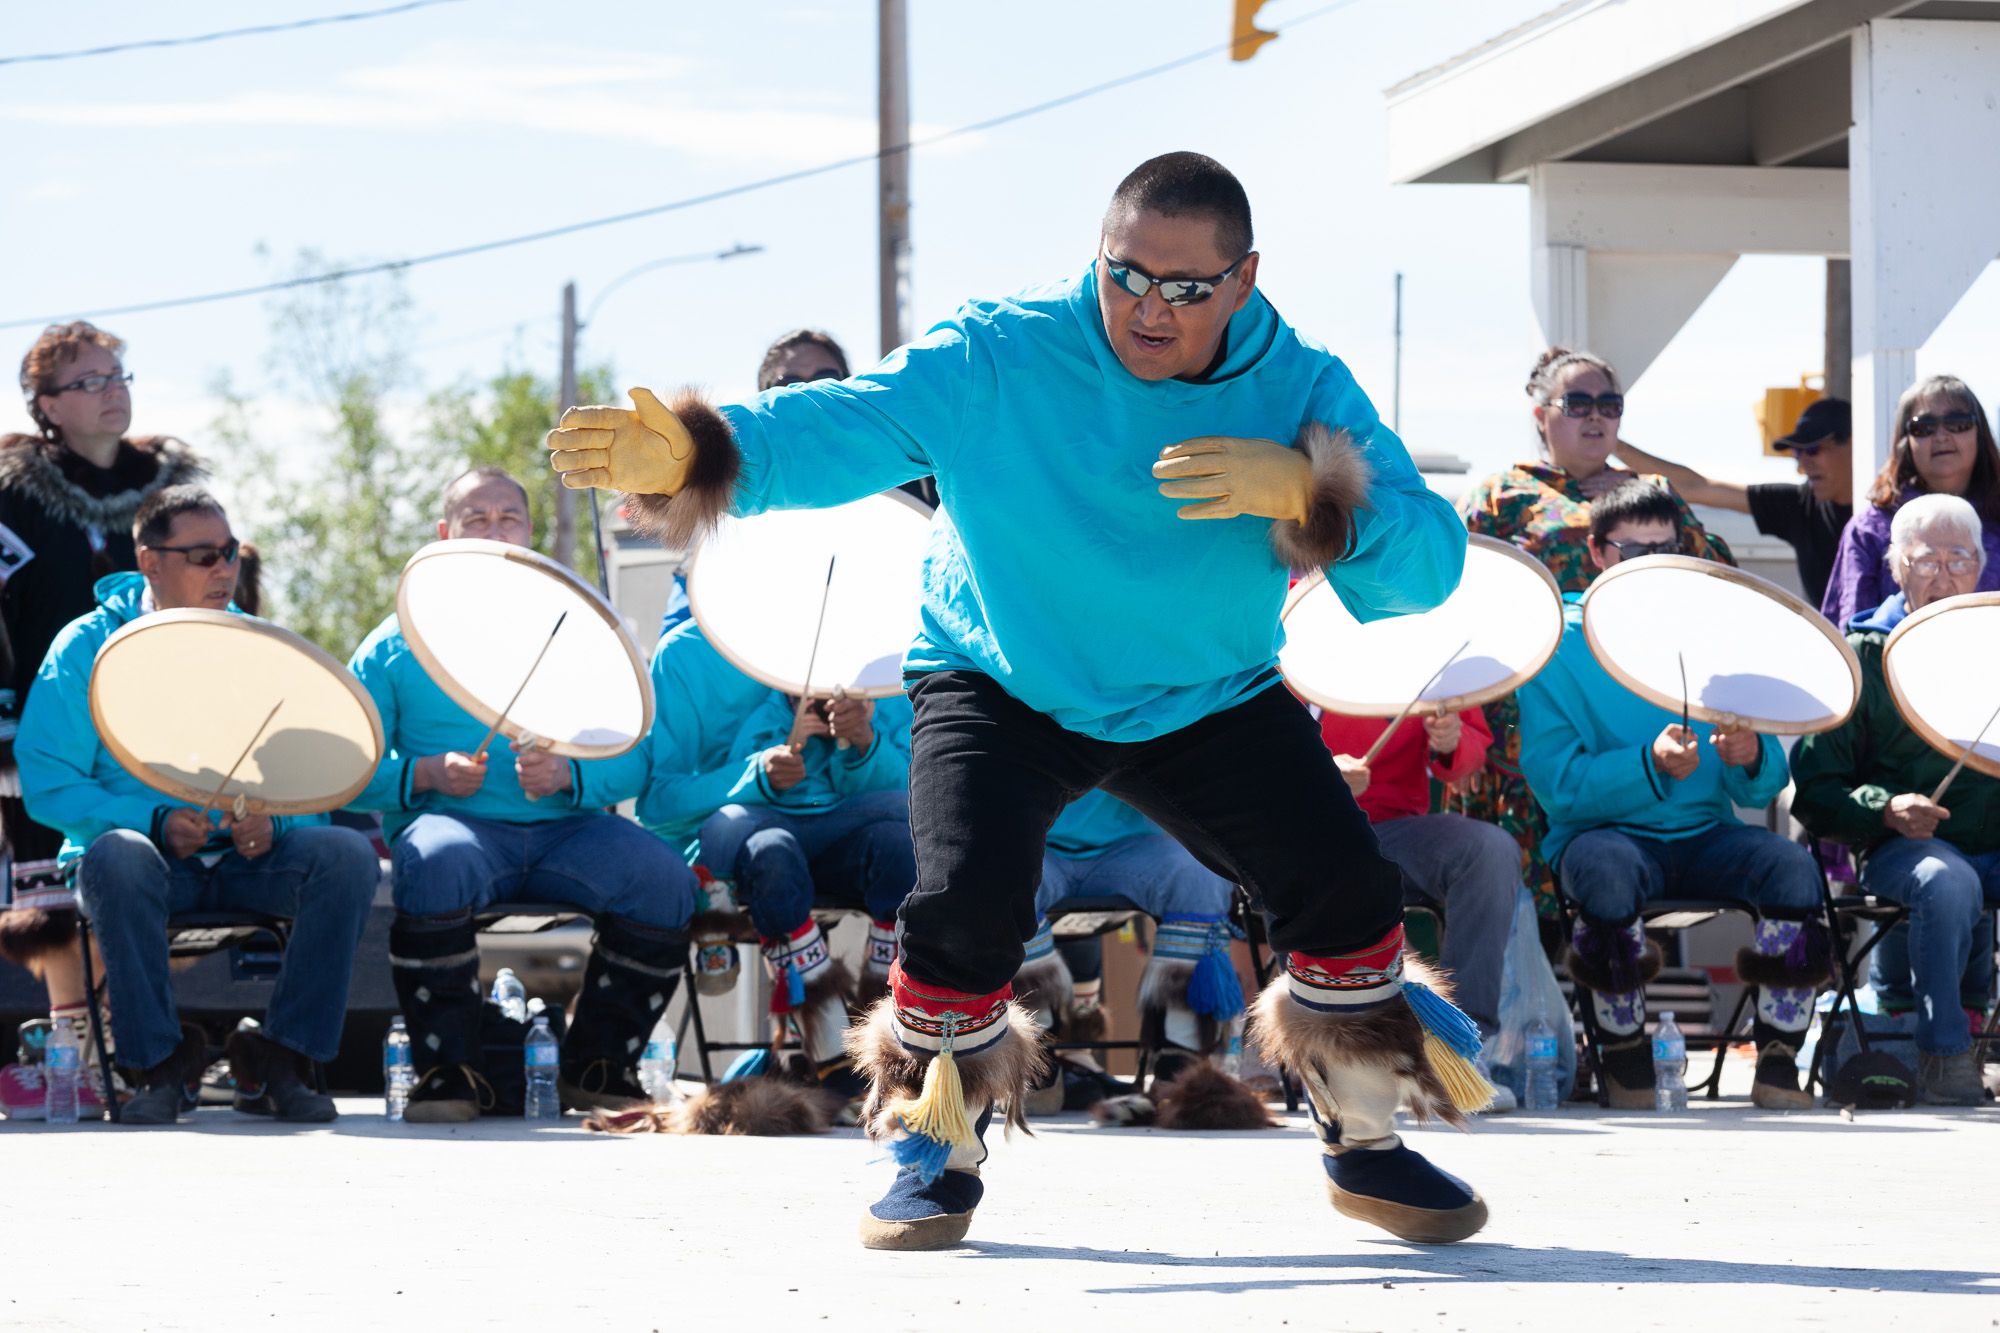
(69, 493)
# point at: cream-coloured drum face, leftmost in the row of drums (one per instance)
(181, 696)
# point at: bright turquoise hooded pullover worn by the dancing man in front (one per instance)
(1057, 567)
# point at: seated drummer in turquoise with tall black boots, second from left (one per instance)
(469, 834)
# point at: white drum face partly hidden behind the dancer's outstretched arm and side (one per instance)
(757, 587)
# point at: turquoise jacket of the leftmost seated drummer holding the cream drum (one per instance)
(67, 778)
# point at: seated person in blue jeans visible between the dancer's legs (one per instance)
(1103, 854)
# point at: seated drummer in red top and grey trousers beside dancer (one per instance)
(1467, 868)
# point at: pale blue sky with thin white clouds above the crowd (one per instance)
(161, 173)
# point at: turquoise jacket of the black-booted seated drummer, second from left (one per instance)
(421, 720)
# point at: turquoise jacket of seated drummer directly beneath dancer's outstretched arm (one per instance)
(713, 728)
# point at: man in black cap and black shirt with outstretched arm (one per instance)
(1809, 513)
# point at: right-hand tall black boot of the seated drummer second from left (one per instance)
(633, 976)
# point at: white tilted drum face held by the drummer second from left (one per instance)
(477, 615)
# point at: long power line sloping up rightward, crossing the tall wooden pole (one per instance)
(679, 205)
